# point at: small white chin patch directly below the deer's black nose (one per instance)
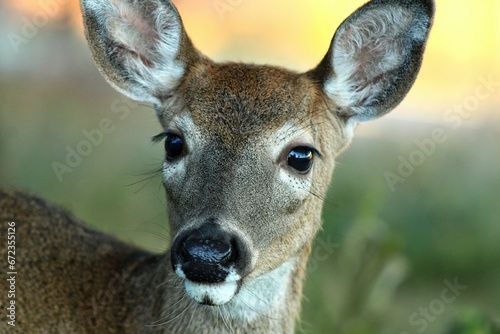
(211, 294)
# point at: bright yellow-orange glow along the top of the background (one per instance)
(464, 44)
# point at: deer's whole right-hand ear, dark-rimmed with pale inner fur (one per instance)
(374, 57)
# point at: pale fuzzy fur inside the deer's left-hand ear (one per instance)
(147, 35)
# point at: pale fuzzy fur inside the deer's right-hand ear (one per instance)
(364, 49)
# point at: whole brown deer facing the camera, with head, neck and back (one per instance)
(249, 155)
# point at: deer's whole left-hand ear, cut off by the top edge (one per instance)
(140, 47)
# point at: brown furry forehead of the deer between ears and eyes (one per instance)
(238, 102)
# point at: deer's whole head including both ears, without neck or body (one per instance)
(250, 149)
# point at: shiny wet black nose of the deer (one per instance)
(208, 254)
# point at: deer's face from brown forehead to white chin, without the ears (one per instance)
(247, 163)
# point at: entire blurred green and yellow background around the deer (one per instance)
(411, 238)
